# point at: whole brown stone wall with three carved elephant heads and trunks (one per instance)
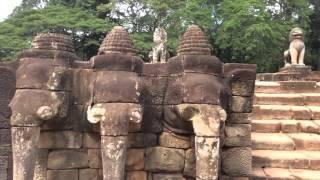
(178, 120)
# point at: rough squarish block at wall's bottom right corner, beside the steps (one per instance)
(237, 161)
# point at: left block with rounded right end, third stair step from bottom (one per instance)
(271, 141)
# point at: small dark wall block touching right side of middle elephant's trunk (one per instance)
(140, 140)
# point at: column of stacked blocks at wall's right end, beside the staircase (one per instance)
(236, 152)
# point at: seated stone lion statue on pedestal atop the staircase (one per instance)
(295, 54)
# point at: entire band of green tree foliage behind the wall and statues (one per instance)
(245, 31)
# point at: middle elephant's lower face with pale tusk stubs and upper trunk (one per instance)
(114, 117)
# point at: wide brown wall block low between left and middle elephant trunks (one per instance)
(68, 159)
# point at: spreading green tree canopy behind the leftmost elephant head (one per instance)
(87, 30)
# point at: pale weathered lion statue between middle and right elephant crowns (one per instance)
(159, 51)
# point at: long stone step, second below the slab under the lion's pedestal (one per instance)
(297, 99)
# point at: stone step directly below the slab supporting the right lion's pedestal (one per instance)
(274, 87)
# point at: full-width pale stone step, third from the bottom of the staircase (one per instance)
(289, 141)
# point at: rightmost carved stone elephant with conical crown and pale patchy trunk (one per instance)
(203, 96)
